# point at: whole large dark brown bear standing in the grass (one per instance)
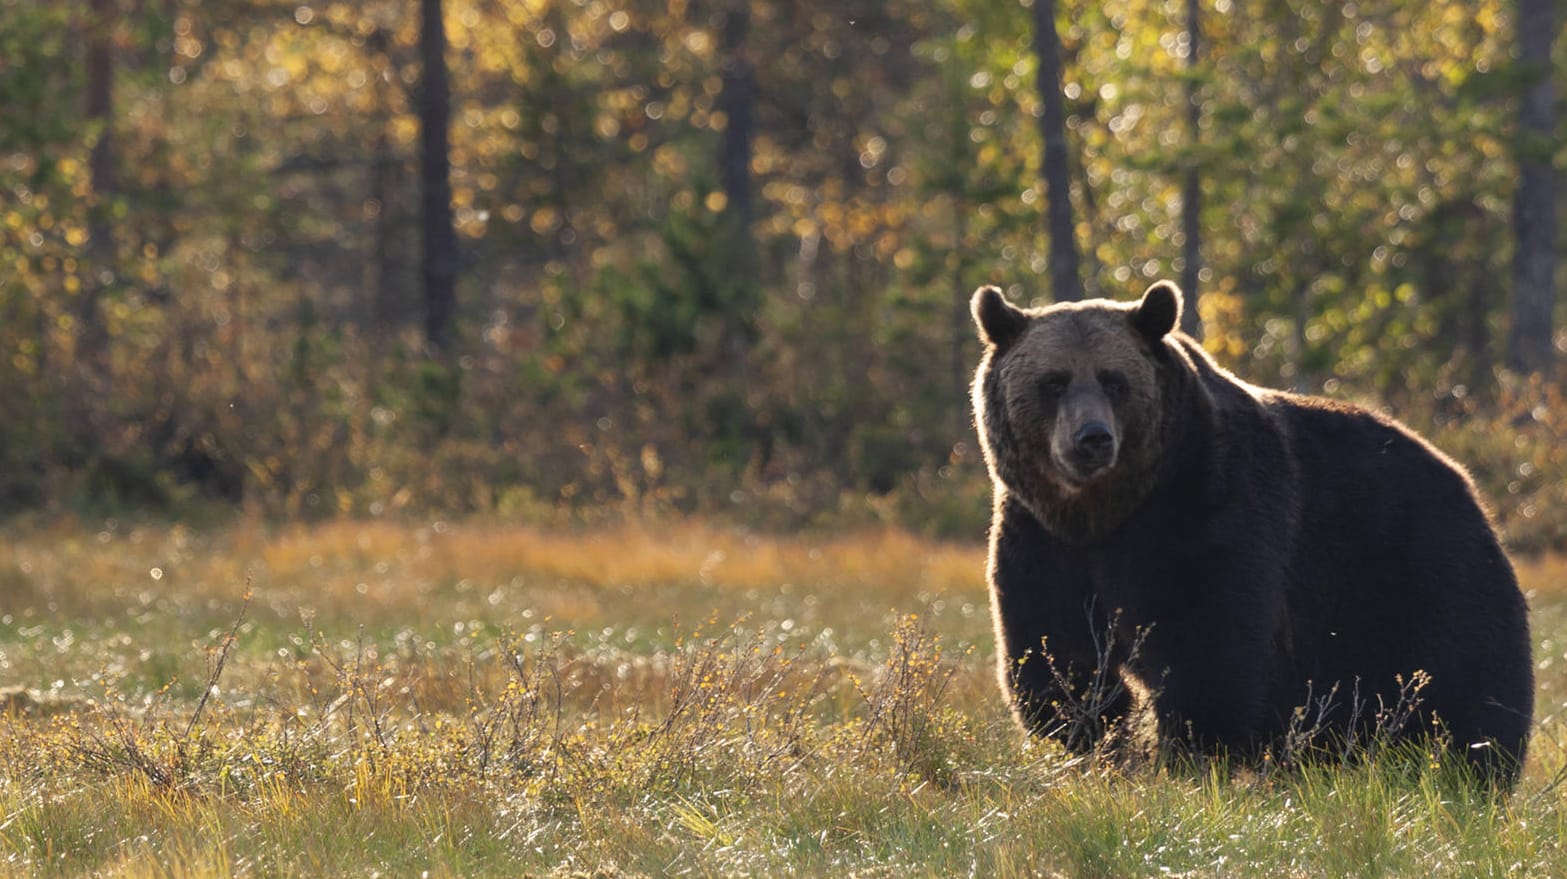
(1234, 563)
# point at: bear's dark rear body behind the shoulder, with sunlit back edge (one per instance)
(1399, 562)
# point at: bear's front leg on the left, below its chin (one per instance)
(1057, 649)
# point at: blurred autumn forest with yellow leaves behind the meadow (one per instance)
(715, 255)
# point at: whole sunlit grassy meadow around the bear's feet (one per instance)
(471, 700)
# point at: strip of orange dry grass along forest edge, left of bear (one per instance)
(391, 574)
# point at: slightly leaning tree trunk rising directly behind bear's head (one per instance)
(1065, 284)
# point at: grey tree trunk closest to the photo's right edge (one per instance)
(1535, 206)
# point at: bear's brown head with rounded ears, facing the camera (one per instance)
(1071, 403)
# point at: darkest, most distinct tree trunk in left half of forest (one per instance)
(440, 237)
